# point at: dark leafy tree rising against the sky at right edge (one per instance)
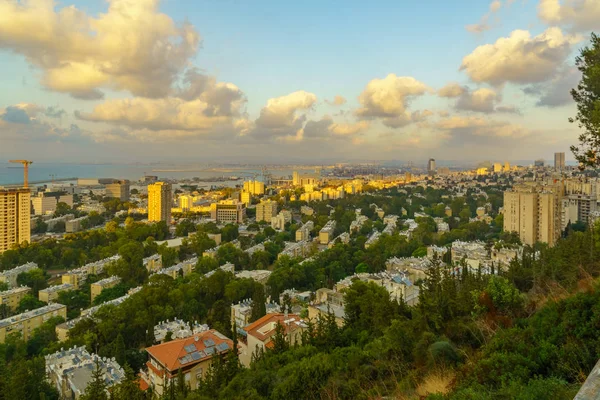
(587, 98)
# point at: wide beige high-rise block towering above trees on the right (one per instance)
(534, 212)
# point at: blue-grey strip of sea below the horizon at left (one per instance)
(44, 173)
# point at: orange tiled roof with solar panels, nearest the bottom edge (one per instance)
(170, 354)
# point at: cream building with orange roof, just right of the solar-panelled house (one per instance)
(259, 334)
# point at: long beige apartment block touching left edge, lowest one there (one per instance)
(27, 322)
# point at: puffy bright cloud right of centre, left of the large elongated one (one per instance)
(388, 99)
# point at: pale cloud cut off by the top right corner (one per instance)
(577, 15)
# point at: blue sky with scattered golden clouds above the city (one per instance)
(289, 82)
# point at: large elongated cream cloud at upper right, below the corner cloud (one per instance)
(520, 58)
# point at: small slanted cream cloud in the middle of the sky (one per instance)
(281, 114)
